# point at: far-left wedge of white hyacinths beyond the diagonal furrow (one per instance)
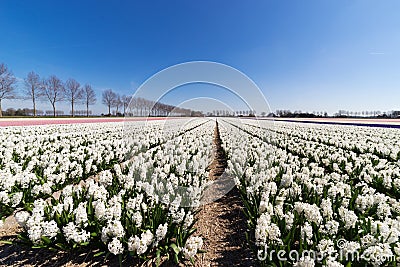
(37, 161)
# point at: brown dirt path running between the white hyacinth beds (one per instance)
(222, 223)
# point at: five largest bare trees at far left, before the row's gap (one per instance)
(51, 89)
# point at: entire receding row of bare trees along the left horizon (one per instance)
(54, 90)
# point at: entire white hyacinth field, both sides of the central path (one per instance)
(134, 194)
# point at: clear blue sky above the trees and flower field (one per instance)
(321, 55)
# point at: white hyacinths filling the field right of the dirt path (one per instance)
(316, 184)
